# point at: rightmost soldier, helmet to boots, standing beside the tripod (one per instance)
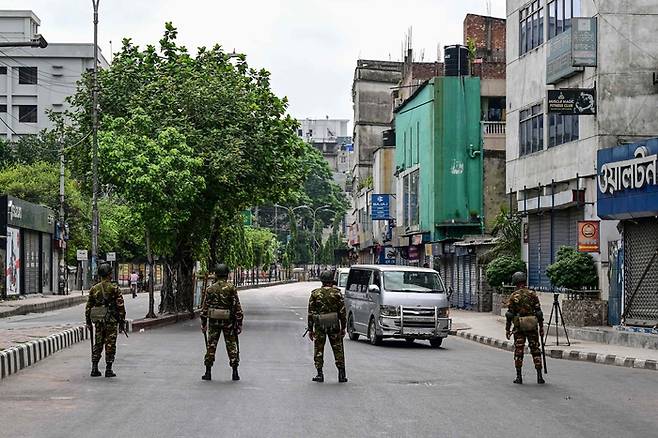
(525, 313)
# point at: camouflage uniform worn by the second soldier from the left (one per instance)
(222, 295)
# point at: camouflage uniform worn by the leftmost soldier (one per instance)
(109, 295)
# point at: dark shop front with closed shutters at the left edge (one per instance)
(28, 251)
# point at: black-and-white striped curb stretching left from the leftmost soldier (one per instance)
(22, 356)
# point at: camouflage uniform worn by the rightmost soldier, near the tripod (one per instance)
(524, 302)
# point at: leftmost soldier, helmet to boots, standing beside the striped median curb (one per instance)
(105, 312)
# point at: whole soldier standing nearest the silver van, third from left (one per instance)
(327, 319)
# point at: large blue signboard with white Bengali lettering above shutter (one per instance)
(628, 181)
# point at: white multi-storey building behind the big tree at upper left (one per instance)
(34, 81)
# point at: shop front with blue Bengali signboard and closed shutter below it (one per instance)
(628, 192)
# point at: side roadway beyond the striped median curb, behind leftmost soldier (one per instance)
(136, 308)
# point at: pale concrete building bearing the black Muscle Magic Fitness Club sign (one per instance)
(551, 158)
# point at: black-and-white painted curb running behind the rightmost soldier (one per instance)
(582, 356)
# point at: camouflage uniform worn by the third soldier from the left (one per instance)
(327, 299)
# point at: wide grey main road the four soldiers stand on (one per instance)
(462, 390)
